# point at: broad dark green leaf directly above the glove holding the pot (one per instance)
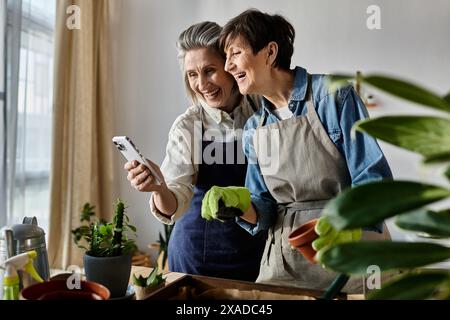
(369, 204)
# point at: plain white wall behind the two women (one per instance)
(332, 36)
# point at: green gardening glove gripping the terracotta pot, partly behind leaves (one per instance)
(329, 236)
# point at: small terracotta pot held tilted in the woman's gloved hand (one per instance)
(302, 238)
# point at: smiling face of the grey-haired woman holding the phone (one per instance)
(208, 79)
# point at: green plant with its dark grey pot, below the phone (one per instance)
(109, 252)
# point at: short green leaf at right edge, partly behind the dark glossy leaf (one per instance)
(432, 223)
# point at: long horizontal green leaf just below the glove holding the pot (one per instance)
(356, 257)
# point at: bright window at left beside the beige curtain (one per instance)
(30, 46)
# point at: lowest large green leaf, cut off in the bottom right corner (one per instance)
(412, 287)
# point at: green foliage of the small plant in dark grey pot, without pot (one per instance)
(102, 239)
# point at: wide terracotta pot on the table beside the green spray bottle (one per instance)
(58, 290)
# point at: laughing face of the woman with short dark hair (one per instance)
(251, 71)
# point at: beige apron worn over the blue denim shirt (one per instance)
(310, 172)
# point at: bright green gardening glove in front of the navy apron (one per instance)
(224, 203)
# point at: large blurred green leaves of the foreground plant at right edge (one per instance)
(369, 204)
